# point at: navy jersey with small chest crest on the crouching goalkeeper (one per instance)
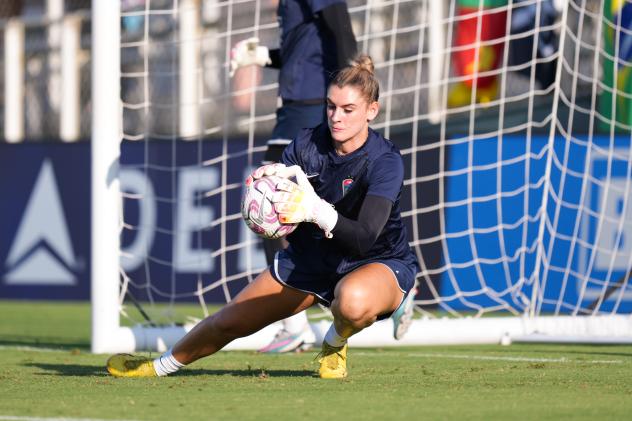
(376, 169)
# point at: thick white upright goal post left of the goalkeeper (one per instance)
(107, 335)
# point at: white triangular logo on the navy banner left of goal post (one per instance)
(42, 251)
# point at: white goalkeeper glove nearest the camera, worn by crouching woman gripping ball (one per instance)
(299, 203)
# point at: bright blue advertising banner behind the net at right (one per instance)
(586, 238)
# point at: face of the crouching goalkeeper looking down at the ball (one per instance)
(349, 114)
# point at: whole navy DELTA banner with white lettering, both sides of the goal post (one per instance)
(171, 249)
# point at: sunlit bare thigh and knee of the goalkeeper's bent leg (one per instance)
(374, 285)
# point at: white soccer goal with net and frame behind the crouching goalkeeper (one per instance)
(514, 120)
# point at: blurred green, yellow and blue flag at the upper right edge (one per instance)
(617, 78)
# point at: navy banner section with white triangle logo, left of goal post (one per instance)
(45, 221)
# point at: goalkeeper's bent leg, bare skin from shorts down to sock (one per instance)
(363, 295)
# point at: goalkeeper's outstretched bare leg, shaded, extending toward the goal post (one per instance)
(261, 303)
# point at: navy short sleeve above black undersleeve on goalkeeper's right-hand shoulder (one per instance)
(386, 177)
